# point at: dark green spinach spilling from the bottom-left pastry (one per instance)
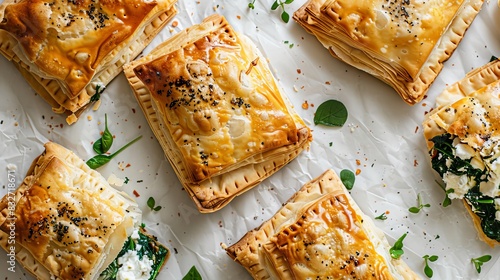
(149, 247)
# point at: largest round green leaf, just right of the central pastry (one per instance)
(331, 113)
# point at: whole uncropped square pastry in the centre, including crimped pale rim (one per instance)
(216, 109)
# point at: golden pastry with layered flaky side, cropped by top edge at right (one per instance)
(403, 43)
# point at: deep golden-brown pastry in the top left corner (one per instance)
(67, 49)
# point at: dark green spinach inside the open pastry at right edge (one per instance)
(444, 160)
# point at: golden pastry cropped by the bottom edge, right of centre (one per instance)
(320, 233)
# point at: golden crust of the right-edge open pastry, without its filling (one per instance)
(469, 111)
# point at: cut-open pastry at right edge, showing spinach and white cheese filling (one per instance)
(463, 137)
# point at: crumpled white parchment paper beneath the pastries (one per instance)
(382, 132)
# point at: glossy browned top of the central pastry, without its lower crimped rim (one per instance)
(220, 108)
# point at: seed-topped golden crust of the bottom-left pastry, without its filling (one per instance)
(68, 221)
